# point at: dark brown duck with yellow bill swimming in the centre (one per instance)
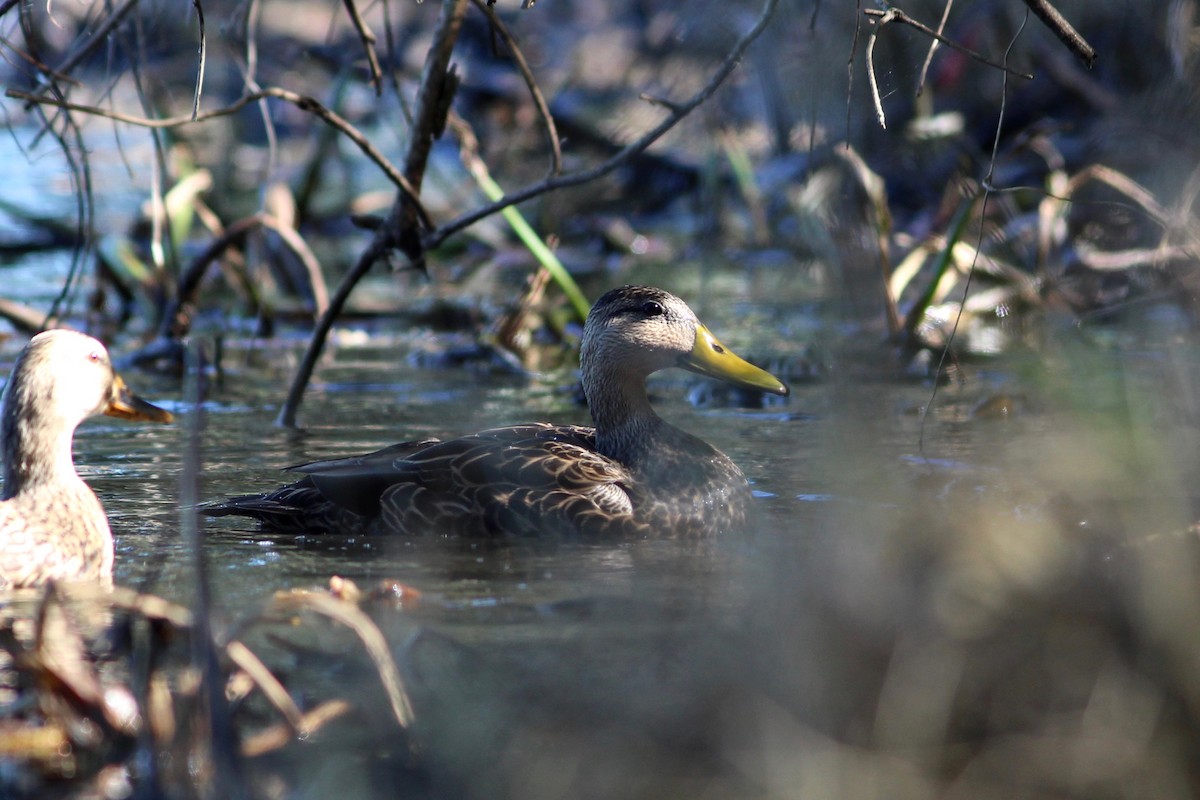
(632, 476)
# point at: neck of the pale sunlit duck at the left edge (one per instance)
(37, 453)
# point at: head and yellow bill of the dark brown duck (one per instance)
(634, 332)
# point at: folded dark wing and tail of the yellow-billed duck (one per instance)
(520, 480)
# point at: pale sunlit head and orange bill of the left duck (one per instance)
(64, 377)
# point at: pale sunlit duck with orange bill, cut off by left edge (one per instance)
(52, 525)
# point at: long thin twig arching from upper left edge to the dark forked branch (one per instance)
(303, 103)
